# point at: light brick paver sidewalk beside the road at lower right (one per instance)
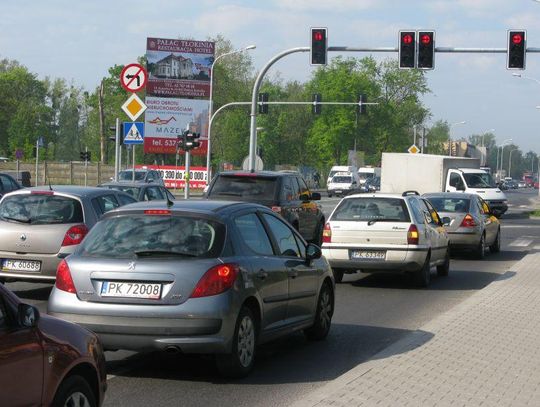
(483, 352)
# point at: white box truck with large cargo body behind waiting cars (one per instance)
(439, 173)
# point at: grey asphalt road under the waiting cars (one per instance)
(371, 313)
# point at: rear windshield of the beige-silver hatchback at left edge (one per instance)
(41, 208)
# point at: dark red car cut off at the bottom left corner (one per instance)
(46, 361)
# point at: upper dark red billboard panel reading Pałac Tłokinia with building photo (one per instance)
(179, 68)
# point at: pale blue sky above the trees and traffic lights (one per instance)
(79, 41)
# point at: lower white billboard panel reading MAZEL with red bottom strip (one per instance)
(168, 118)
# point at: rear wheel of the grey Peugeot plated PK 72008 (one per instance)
(241, 360)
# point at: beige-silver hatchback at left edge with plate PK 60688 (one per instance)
(40, 226)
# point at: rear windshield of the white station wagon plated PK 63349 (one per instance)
(369, 209)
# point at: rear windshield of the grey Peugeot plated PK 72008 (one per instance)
(134, 235)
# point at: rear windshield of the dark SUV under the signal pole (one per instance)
(263, 188)
